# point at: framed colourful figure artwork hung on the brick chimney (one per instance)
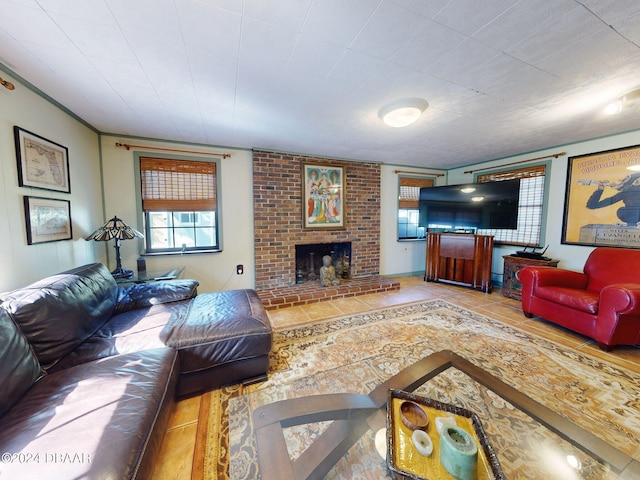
(323, 197)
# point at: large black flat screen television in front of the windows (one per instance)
(471, 206)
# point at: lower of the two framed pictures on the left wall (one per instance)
(47, 220)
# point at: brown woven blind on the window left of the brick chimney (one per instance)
(177, 185)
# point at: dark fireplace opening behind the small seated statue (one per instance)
(309, 260)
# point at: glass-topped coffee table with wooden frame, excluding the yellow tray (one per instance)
(531, 439)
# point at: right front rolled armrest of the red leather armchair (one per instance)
(615, 300)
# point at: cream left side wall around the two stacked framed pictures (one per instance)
(21, 263)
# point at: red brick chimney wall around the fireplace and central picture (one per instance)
(278, 220)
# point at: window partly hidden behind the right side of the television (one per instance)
(530, 208)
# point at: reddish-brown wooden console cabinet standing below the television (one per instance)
(460, 258)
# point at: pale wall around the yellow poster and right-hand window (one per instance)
(570, 256)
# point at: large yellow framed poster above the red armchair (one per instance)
(602, 199)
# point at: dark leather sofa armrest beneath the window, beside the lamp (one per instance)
(141, 295)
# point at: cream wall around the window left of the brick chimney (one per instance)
(214, 271)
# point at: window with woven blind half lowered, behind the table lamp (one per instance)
(179, 204)
